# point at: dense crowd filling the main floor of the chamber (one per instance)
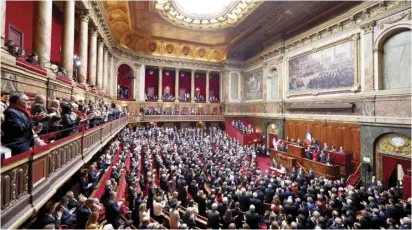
(213, 176)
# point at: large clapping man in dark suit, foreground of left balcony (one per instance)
(18, 123)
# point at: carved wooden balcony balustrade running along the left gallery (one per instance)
(30, 179)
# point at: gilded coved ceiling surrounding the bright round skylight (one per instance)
(236, 30)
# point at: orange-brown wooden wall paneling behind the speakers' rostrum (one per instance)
(338, 134)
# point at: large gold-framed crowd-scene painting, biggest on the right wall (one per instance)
(328, 69)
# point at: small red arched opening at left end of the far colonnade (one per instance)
(124, 82)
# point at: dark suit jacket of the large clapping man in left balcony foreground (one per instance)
(17, 129)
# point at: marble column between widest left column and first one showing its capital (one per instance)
(68, 37)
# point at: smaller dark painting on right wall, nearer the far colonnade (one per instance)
(253, 85)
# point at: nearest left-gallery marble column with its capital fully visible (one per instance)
(84, 27)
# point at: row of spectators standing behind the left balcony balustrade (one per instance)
(22, 124)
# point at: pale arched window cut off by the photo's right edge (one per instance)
(396, 61)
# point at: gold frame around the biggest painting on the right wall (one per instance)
(356, 85)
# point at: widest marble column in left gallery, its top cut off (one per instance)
(42, 30)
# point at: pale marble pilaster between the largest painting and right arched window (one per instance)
(368, 56)
